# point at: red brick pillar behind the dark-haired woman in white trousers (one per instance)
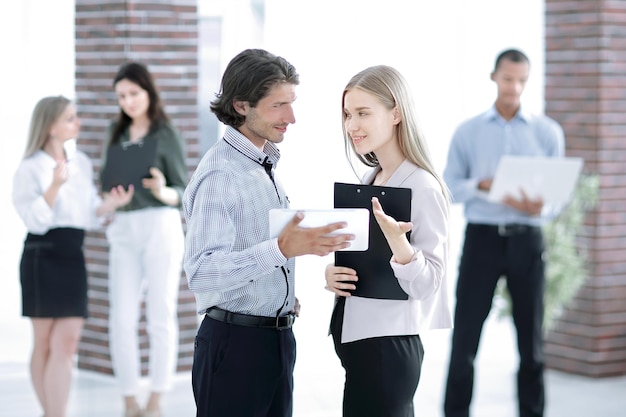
(164, 36)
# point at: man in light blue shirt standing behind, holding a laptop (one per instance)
(501, 239)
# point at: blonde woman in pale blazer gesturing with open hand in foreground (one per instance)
(378, 340)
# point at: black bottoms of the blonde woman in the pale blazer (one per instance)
(382, 373)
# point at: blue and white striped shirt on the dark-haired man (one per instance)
(230, 260)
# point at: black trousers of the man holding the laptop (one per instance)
(487, 255)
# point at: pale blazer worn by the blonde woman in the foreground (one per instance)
(424, 278)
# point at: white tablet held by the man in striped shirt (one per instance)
(357, 219)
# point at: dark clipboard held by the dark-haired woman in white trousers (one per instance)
(128, 163)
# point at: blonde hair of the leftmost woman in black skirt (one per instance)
(46, 113)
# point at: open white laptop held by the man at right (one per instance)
(552, 179)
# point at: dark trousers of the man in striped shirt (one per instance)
(243, 371)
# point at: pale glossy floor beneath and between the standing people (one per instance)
(319, 381)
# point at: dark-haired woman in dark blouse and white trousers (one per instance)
(146, 243)
